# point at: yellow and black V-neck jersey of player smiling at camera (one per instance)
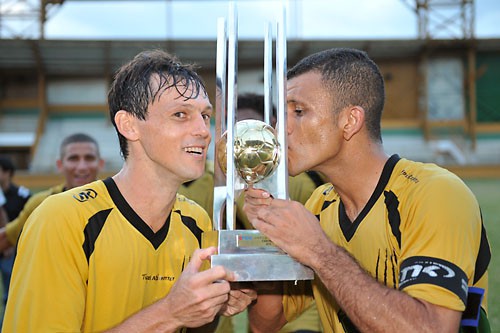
(86, 260)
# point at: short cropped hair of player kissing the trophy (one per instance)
(352, 78)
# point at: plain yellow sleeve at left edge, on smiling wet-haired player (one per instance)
(49, 279)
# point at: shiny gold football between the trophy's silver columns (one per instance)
(256, 150)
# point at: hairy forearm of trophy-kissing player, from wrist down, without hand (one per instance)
(373, 307)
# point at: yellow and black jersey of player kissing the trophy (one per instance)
(421, 232)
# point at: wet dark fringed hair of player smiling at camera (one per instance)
(143, 80)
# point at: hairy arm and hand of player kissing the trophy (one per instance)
(371, 306)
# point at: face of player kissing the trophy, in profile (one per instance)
(314, 138)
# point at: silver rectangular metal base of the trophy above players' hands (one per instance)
(253, 257)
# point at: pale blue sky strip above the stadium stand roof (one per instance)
(306, 19)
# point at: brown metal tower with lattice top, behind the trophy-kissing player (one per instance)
(451, 20)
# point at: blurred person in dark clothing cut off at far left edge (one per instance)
(15, 199)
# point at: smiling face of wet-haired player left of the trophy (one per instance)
(175, 134)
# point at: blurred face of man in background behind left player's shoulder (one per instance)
(80, 163)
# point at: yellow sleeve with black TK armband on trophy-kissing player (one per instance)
(438, 232)
